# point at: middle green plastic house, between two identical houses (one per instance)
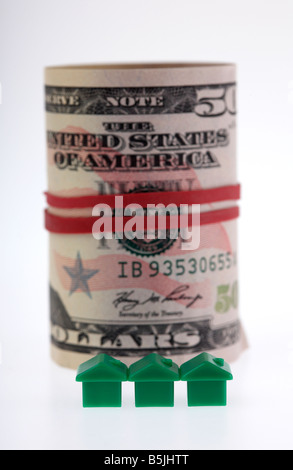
(154, 378)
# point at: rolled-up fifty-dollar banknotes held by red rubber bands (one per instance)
(162, 131)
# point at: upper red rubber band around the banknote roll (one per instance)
(200, 196)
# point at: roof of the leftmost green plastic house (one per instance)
(102, 368)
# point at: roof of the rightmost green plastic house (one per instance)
(205, 367)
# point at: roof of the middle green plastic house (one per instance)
(153, 368)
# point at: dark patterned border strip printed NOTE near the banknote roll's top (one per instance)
(166, 100)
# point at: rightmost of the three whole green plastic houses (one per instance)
(206, 378)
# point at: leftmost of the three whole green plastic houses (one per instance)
(101, 378)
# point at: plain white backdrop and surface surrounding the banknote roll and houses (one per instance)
(40, 403)
